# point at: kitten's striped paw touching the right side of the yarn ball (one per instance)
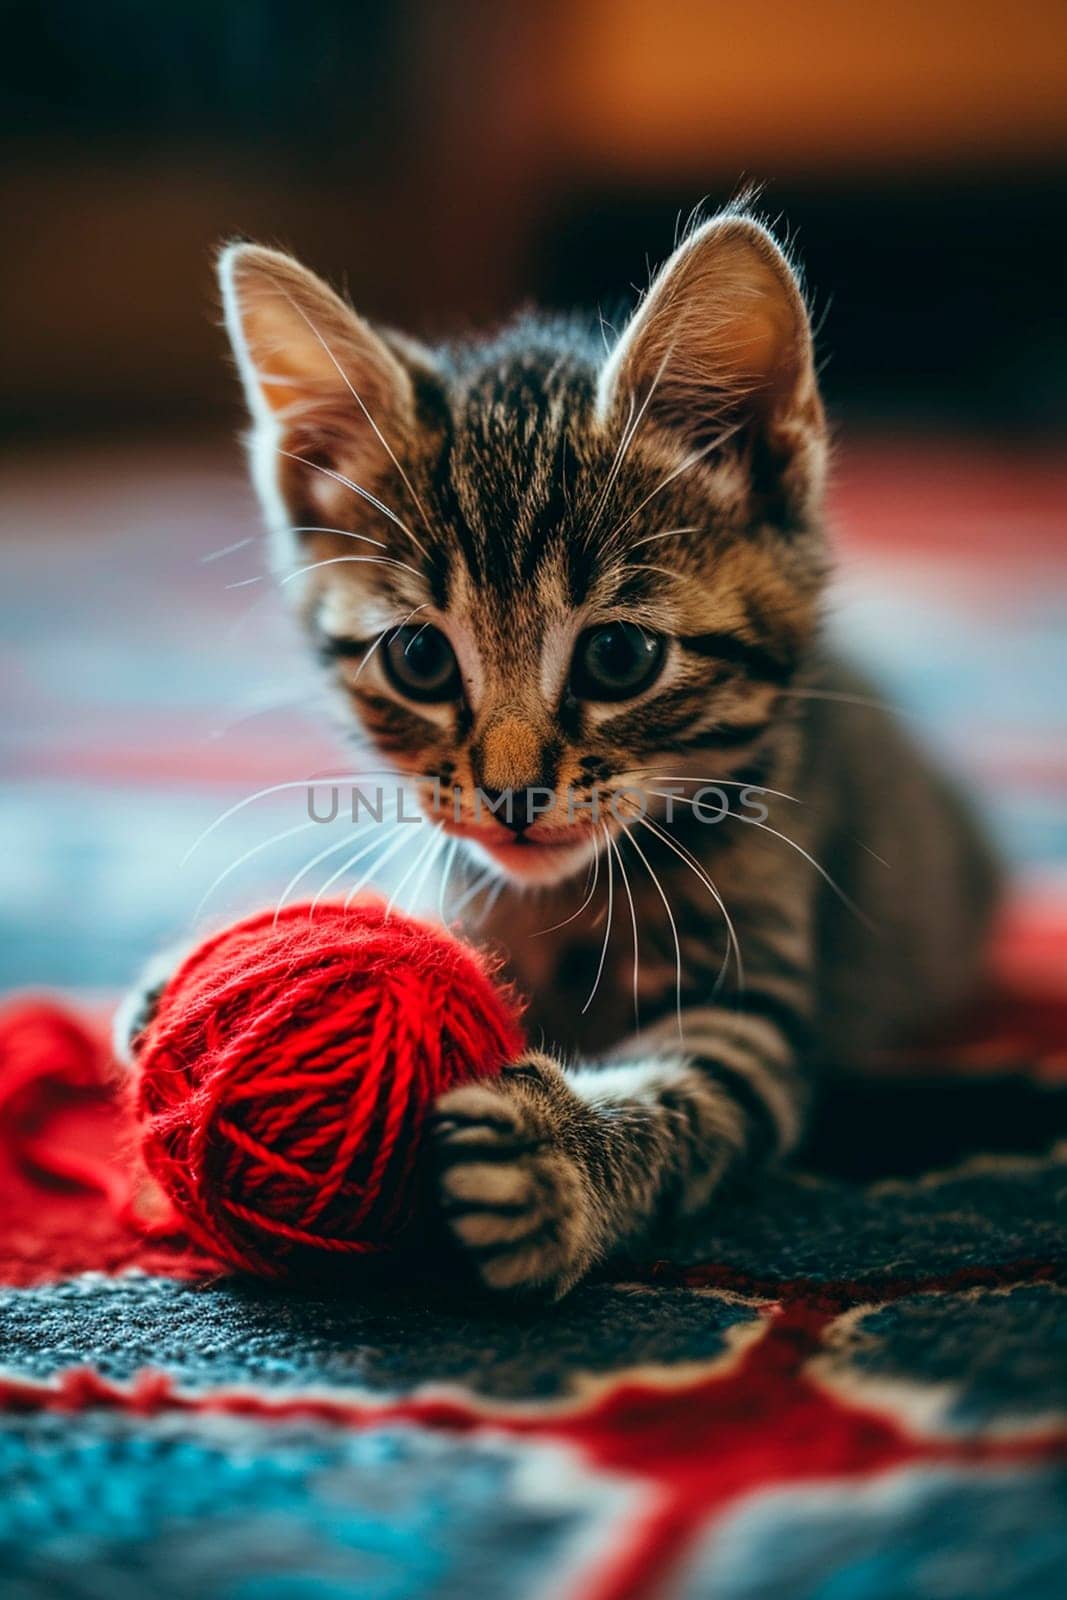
(514, 1188)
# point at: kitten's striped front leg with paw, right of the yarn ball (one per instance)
(546, 1170)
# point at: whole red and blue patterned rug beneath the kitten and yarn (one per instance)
(849, 1383)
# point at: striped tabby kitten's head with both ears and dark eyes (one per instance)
(535, 564)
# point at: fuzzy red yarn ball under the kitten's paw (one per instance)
(286, 1079)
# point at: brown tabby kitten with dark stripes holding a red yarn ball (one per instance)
(533, 569)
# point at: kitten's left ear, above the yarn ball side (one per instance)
(319, 382)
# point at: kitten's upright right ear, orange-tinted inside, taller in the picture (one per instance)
(721, 350)
